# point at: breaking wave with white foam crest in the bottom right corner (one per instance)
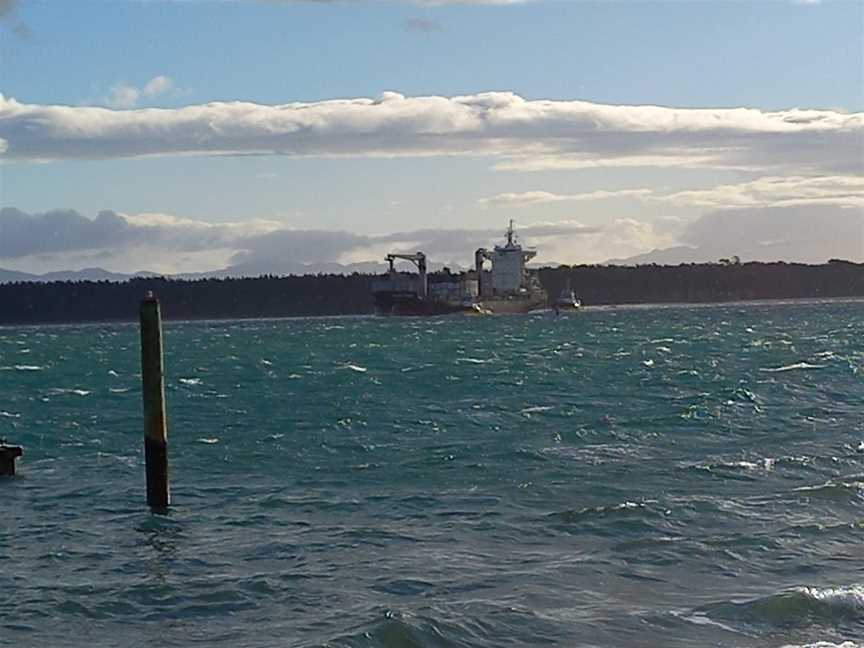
(798, 607)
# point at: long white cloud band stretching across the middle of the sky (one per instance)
(523, 134)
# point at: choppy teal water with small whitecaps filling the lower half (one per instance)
(622, 477)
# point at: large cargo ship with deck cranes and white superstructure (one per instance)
(507, 287)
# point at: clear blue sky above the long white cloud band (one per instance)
(765, 54)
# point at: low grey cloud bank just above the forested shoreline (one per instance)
(65, 239)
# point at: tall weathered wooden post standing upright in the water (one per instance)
(153, 391)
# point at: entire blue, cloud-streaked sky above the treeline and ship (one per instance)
(277, 135)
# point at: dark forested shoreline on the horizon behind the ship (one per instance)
(271, 296)
